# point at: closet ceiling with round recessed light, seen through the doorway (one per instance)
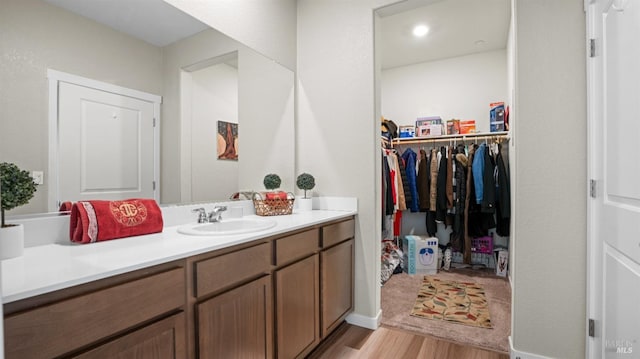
(456, 28)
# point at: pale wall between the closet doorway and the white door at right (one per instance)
(549, 227)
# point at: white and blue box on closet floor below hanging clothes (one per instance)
(420, 254)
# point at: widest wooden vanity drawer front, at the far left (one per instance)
(52, 330)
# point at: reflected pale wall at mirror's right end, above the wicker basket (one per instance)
(267, 144)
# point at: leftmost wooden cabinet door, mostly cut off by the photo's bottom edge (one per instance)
(164, 339)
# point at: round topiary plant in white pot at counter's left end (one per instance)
(16, 189)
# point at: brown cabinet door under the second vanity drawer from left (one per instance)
(237, 323)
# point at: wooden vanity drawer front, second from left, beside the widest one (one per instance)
(219, 272)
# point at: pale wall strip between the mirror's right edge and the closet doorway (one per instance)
(337, 130)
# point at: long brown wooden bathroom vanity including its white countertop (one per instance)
(276, 293)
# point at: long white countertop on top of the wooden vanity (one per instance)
(51, 267)
